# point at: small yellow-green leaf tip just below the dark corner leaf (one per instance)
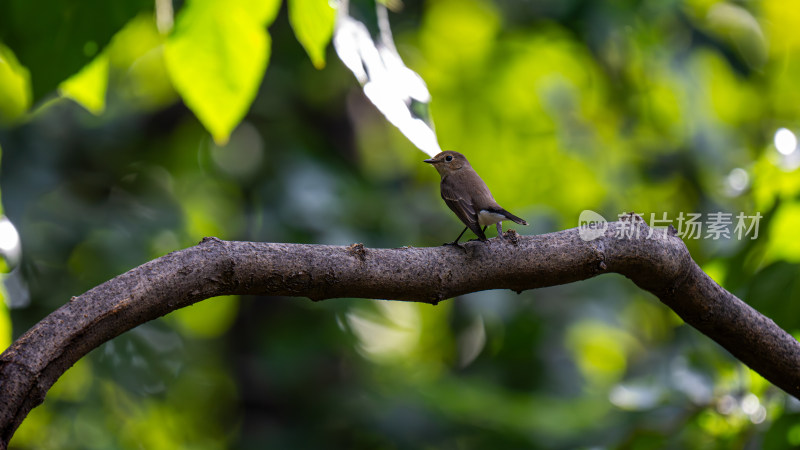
(88, 87)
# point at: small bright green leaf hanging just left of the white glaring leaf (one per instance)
(312, 22)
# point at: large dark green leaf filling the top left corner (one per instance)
(55, 39)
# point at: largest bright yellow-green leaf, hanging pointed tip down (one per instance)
(216, 58)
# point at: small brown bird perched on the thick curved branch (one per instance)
(467, 195)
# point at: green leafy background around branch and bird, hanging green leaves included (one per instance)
(659, 107)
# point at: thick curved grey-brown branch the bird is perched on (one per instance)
(659, 263)
